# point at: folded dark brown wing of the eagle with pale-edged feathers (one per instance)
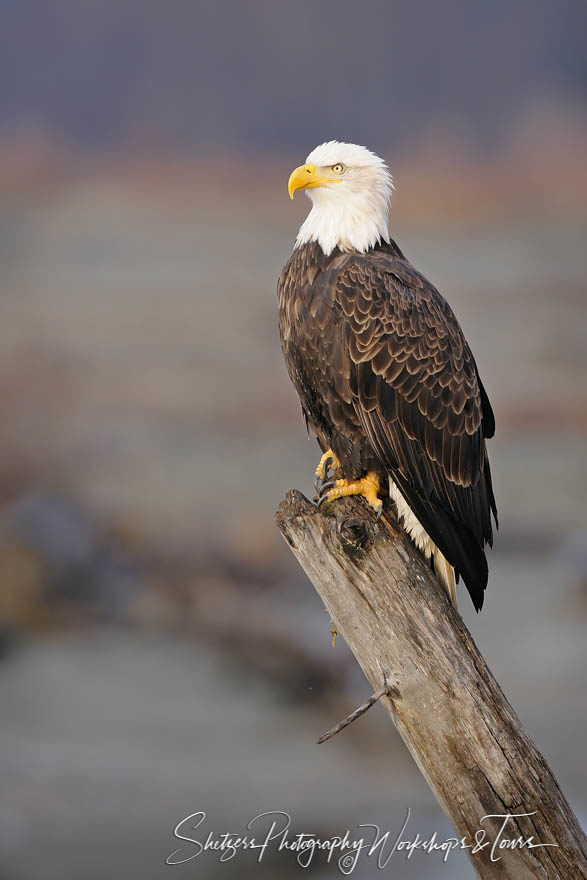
(418, 396)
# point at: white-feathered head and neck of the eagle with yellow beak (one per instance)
(350, 188)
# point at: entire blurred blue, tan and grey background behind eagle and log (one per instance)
(160, 651)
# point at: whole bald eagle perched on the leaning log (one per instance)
(386, 379)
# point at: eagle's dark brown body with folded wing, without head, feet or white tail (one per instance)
(388, 382)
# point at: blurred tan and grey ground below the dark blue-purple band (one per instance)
(149, 432)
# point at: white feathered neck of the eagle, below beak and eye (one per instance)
(357, 223)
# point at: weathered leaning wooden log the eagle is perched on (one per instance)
(451, 712)
